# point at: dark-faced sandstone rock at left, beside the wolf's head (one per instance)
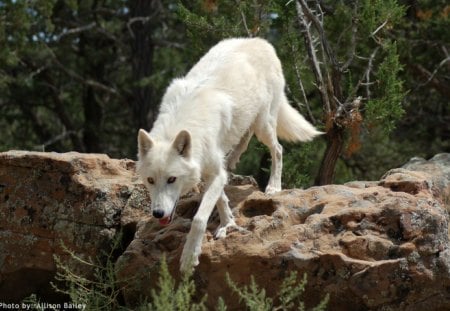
(48, 200)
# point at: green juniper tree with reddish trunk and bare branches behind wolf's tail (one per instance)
(339, 59)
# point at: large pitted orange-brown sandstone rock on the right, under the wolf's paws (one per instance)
(370, 245)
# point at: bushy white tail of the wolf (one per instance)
(292, 126)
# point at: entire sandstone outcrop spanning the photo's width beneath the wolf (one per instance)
(371, 245)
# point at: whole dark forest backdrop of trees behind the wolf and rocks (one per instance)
(86, 75)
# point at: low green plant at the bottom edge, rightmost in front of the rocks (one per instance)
(288, 297)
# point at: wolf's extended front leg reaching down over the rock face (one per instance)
(193, 246)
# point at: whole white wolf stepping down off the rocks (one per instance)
(205, 122)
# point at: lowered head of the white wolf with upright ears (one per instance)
(167, 170)
